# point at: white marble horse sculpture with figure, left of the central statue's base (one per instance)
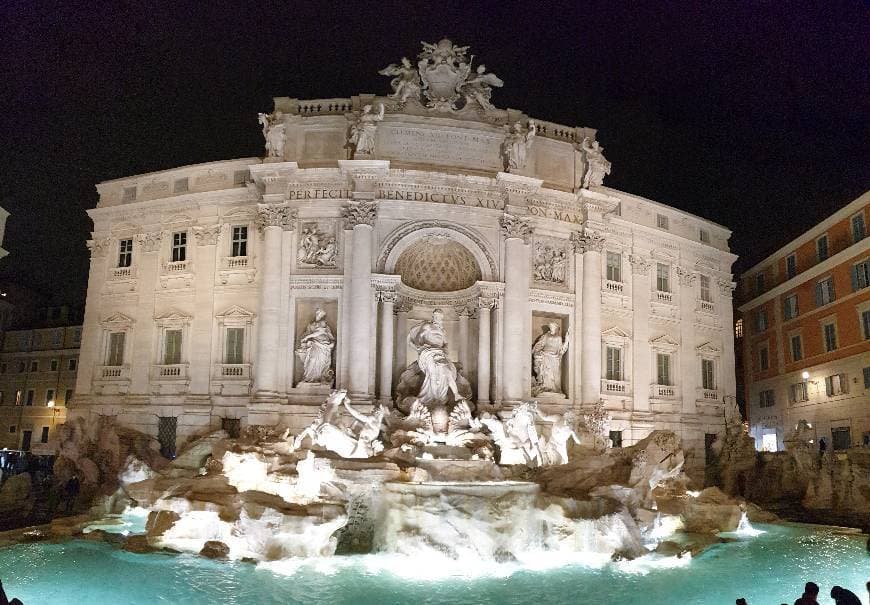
(327, 432)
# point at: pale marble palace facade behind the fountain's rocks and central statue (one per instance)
(205, 278)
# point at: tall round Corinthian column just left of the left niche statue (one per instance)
(272, 219)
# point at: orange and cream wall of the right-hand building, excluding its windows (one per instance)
(850, 357)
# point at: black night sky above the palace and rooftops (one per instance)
(754, 115)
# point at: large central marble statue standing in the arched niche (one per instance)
(429, 339)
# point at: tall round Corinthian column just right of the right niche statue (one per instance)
(591, 243)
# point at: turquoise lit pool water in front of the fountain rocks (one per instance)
(767, 569)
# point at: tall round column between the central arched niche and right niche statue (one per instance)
(516, 345)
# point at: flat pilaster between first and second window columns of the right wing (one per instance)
(640, 351)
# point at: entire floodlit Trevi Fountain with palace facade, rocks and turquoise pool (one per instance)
(480, 384)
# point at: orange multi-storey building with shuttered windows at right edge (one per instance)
(806, 345)
